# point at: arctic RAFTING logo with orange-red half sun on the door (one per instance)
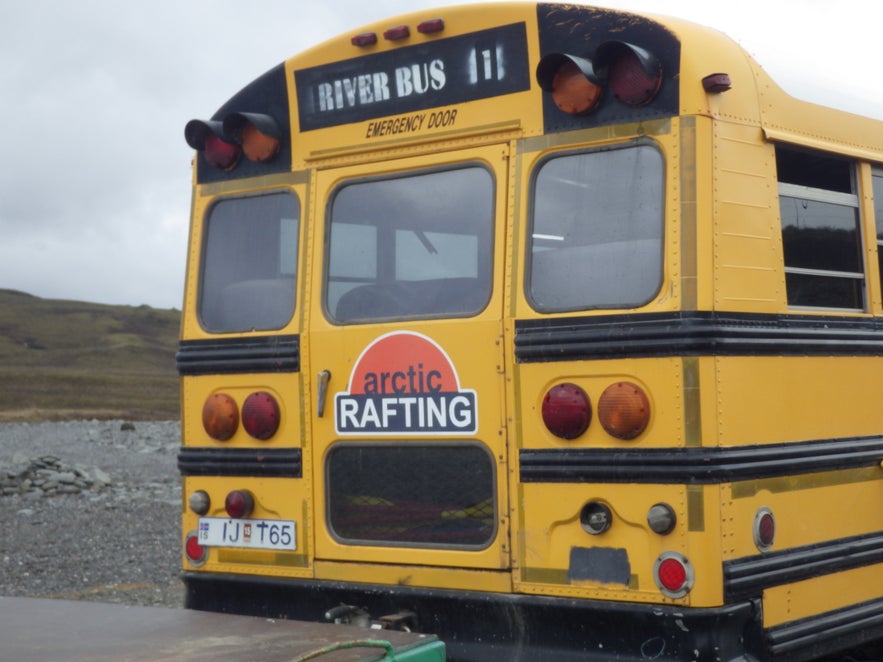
(404, 383)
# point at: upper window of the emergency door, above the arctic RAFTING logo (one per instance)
(410, 247)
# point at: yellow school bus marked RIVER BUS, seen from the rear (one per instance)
(552, 330)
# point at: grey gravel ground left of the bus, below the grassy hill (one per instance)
(115, 538)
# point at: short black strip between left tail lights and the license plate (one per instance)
(272, 462)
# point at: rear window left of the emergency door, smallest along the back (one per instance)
(249, 263)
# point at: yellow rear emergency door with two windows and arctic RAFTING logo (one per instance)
(406, 362)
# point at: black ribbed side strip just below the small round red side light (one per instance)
(748, 577)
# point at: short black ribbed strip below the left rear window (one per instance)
(220, 356)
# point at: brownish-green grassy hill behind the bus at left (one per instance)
(65, 360)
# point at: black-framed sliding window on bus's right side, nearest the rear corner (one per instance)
(821, 231)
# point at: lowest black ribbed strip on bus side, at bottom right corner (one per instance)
(829, 632)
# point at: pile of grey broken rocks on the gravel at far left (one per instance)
(49, 476)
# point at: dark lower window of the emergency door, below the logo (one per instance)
(413, 495)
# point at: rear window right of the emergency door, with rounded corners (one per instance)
(596, 231)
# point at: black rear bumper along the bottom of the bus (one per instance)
(489, 626)
